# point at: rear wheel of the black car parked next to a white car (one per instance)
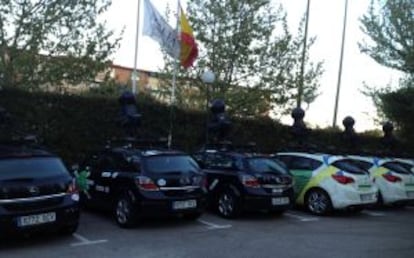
(228, 204)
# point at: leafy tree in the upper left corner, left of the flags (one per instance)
(52, 42)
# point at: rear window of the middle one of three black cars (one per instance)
(171, 164)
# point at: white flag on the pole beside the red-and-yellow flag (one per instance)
(157, 28)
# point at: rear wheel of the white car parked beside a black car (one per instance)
(318, 202)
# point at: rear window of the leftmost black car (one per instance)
(33, 167)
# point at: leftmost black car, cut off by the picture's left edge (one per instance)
(37, 193)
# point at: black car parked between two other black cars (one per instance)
(136, 183)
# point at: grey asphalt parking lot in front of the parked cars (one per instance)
(384, 232)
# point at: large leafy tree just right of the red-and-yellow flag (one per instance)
(247, 44)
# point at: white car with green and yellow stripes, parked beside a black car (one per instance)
(324, 183)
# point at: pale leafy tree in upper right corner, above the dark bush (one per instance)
(390, 27)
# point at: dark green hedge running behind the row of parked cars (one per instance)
(73, 125)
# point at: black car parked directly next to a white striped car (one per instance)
(240, 181)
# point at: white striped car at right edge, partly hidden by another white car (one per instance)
(394, 179)
